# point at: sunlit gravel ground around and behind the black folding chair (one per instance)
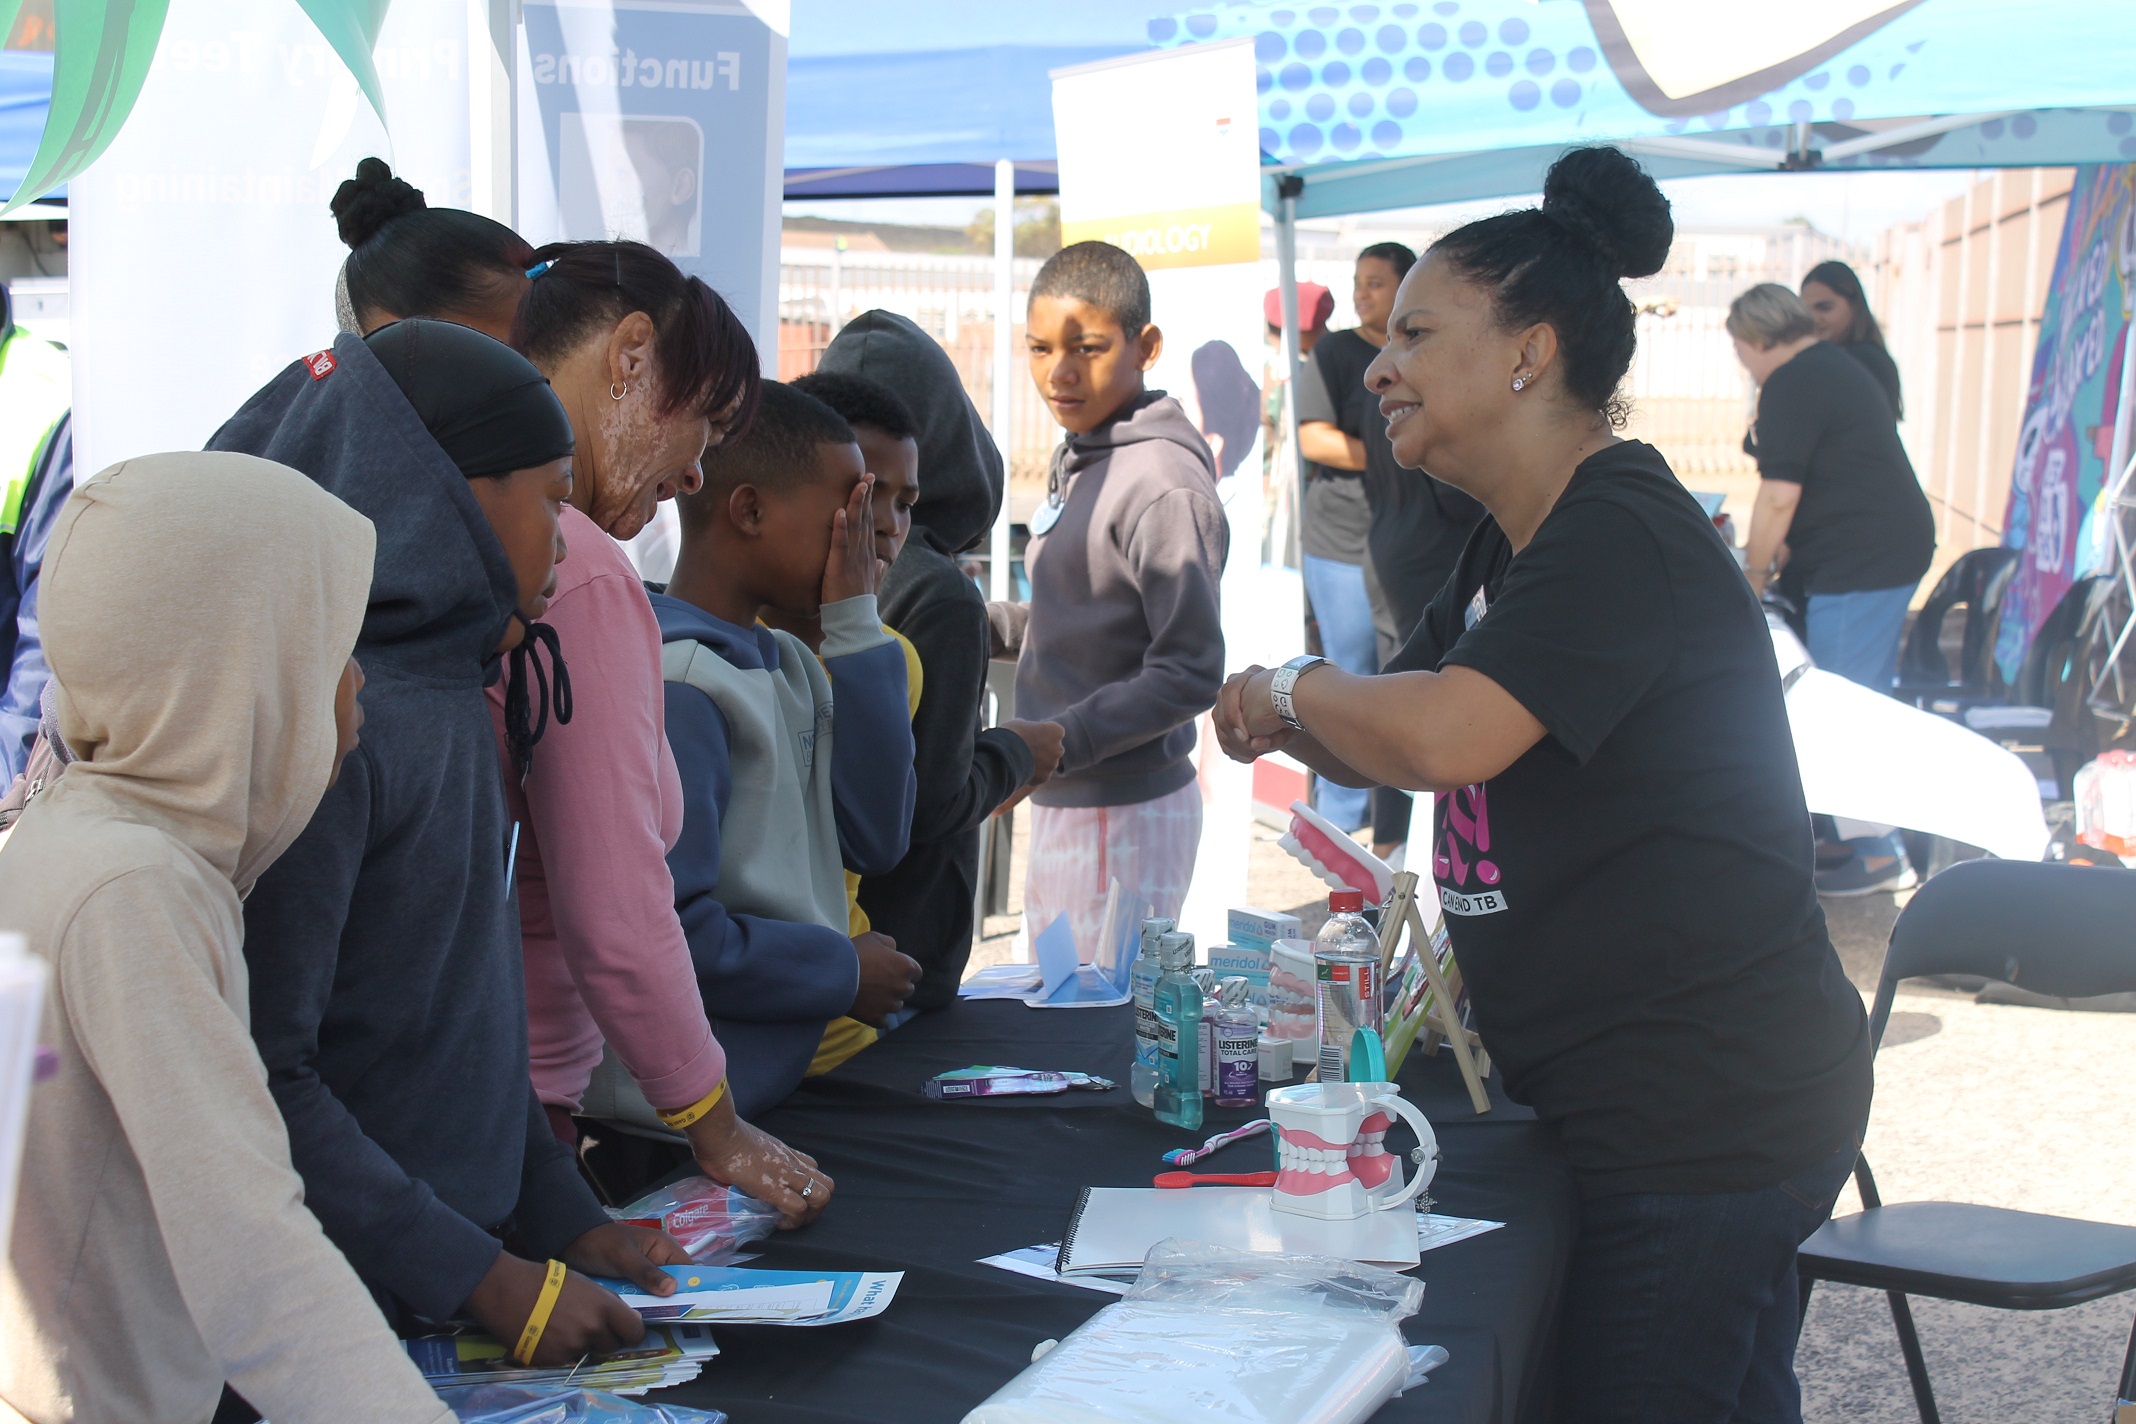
(1977, 1103)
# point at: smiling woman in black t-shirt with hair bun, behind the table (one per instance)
(1622, 847)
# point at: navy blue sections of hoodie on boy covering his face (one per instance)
(772, 985)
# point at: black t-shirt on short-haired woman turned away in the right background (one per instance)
(1862, 524)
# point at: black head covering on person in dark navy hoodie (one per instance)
(482, 402)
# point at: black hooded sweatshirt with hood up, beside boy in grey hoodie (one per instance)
(962, 770)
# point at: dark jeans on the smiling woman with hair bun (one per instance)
(1682, 1308)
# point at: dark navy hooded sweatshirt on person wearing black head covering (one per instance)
(388, 994)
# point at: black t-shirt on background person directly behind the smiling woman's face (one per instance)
(1417, 524)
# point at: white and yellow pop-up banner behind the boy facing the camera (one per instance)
(1161, 155)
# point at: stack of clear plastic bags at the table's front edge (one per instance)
(1227, 1335)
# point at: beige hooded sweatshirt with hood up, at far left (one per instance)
(161, 1241)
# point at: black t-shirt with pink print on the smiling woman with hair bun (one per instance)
(1633, 900)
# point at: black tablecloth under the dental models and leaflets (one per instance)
(930, 1188)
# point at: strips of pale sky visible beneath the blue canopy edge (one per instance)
(1849, 206)
